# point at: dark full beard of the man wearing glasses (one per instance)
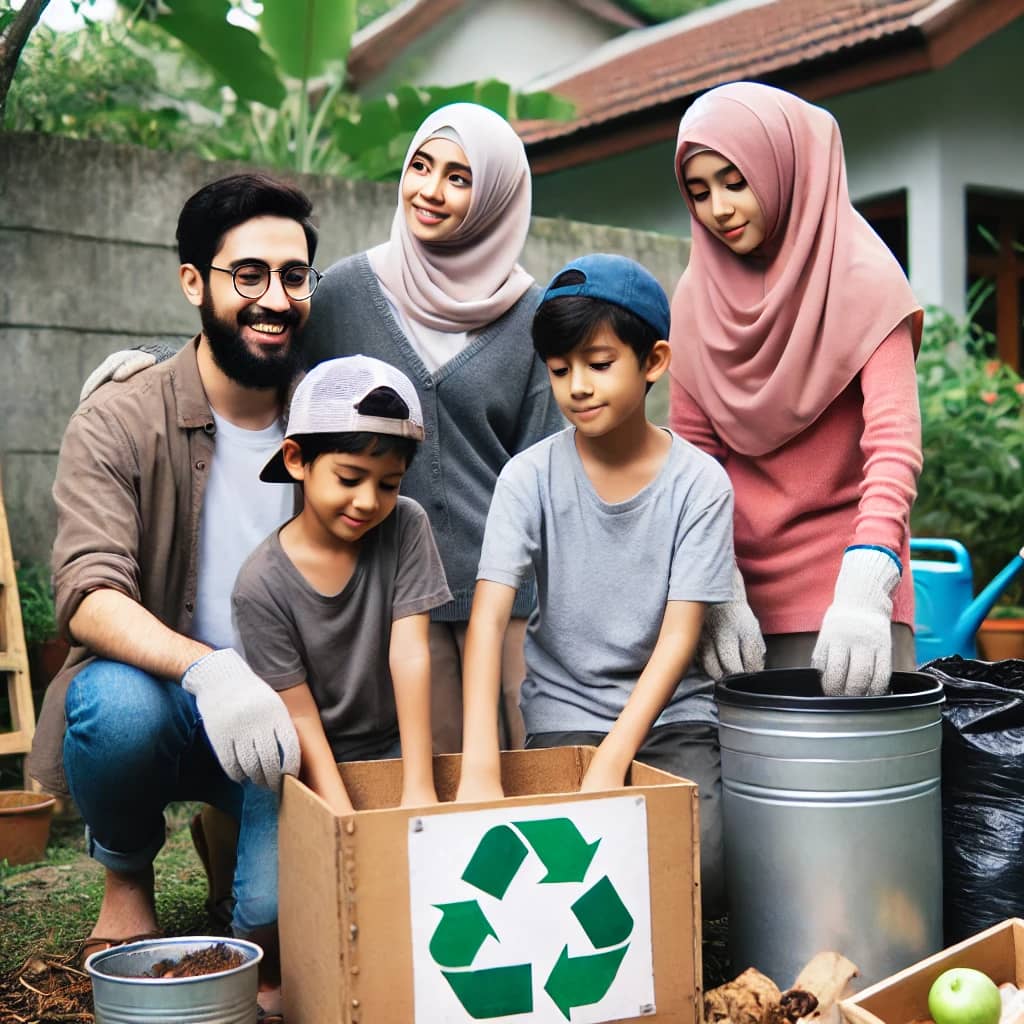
(271, 368)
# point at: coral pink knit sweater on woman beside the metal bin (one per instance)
(849, 479)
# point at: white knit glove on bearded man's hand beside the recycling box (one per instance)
(246, 722)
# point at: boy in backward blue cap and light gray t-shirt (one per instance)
(628, 532)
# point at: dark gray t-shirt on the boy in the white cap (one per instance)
(339, 645)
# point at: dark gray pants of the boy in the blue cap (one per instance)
(690, 752)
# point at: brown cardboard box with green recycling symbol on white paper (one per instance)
(543, 902)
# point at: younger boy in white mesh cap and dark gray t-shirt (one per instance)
(332, 610)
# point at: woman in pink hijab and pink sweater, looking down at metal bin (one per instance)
(794, 336)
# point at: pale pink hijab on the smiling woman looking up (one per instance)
(472, 279)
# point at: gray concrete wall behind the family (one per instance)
(90, 266)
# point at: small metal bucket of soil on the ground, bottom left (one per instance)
(122, 996)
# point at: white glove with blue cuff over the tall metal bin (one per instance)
(855, 648)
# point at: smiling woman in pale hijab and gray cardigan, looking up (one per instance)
(447, 303)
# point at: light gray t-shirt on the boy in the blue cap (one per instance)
(605, 574)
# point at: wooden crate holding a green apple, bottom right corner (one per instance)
(904, 998)
